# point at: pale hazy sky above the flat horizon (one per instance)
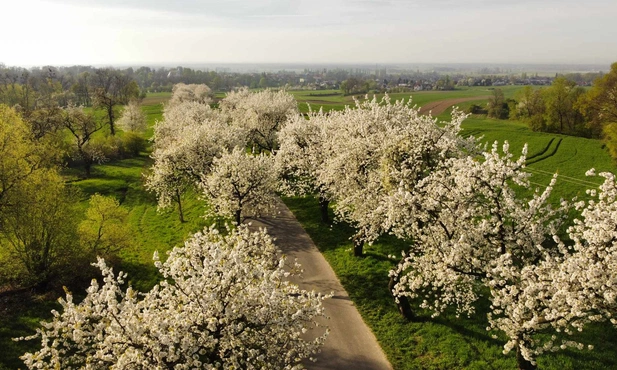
(68, 32)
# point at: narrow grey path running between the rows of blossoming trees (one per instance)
(350, 344)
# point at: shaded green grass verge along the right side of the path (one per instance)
(446, 342)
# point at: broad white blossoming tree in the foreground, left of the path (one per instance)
(225, 303)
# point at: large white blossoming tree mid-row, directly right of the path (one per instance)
(370, 150)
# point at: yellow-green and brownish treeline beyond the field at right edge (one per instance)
(564, 108)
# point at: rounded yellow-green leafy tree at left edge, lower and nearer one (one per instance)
(39, 233)
